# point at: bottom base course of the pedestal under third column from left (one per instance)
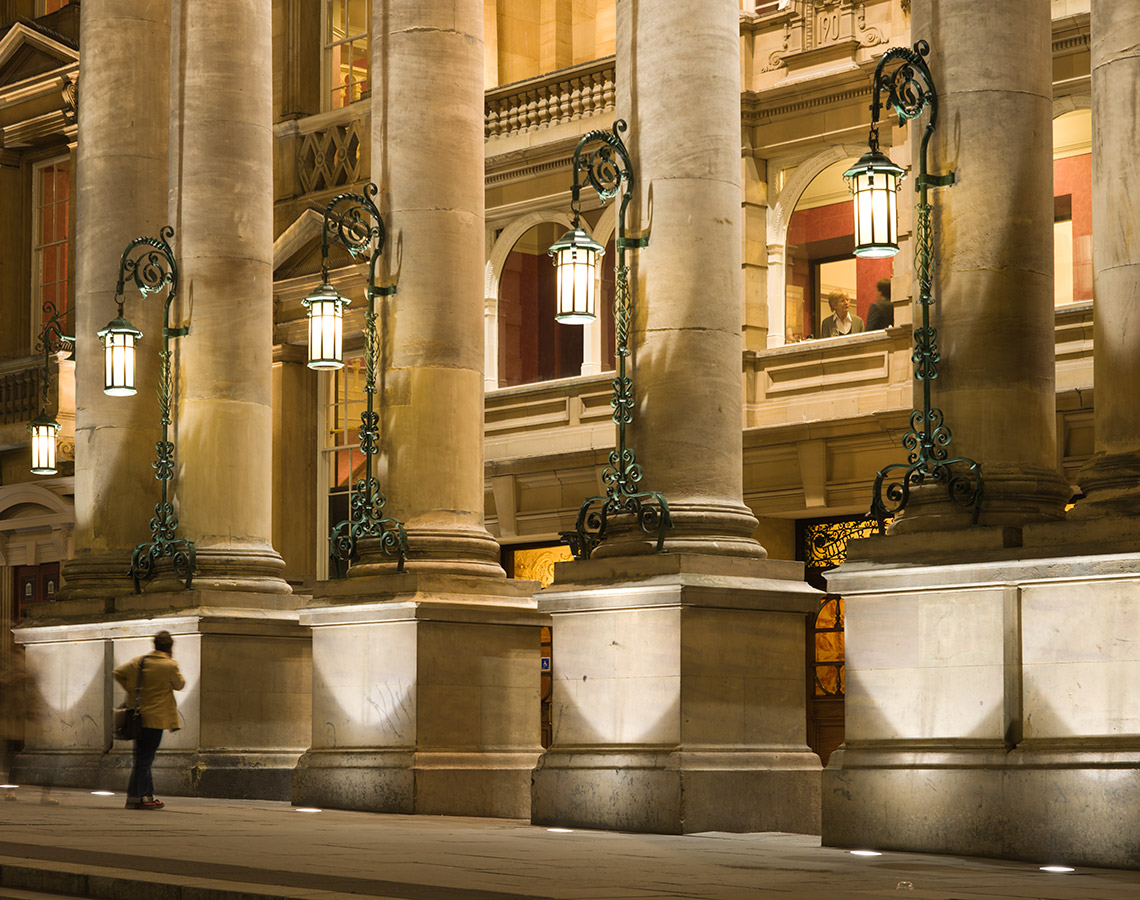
(492, 785)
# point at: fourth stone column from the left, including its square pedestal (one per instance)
(647, 645)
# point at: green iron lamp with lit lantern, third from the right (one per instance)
(354, 222)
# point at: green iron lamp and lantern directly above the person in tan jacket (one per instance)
(150, 263)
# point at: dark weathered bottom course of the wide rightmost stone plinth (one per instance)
(1074, 806)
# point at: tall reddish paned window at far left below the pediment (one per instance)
(50, 241)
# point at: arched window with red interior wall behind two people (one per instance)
(821, 261)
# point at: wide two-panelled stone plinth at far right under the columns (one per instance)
(992, 706)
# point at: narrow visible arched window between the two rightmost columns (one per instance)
(1073, 207)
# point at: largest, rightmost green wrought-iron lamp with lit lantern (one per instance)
(874, 181)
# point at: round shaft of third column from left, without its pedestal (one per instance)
(428, 153)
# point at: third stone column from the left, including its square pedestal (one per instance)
(427, 684)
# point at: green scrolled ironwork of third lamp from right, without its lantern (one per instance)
(354, 222)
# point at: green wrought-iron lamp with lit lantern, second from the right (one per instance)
(609, 172)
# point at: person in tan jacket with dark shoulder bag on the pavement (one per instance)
(159, 677)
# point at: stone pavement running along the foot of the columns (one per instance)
(198, 849)
